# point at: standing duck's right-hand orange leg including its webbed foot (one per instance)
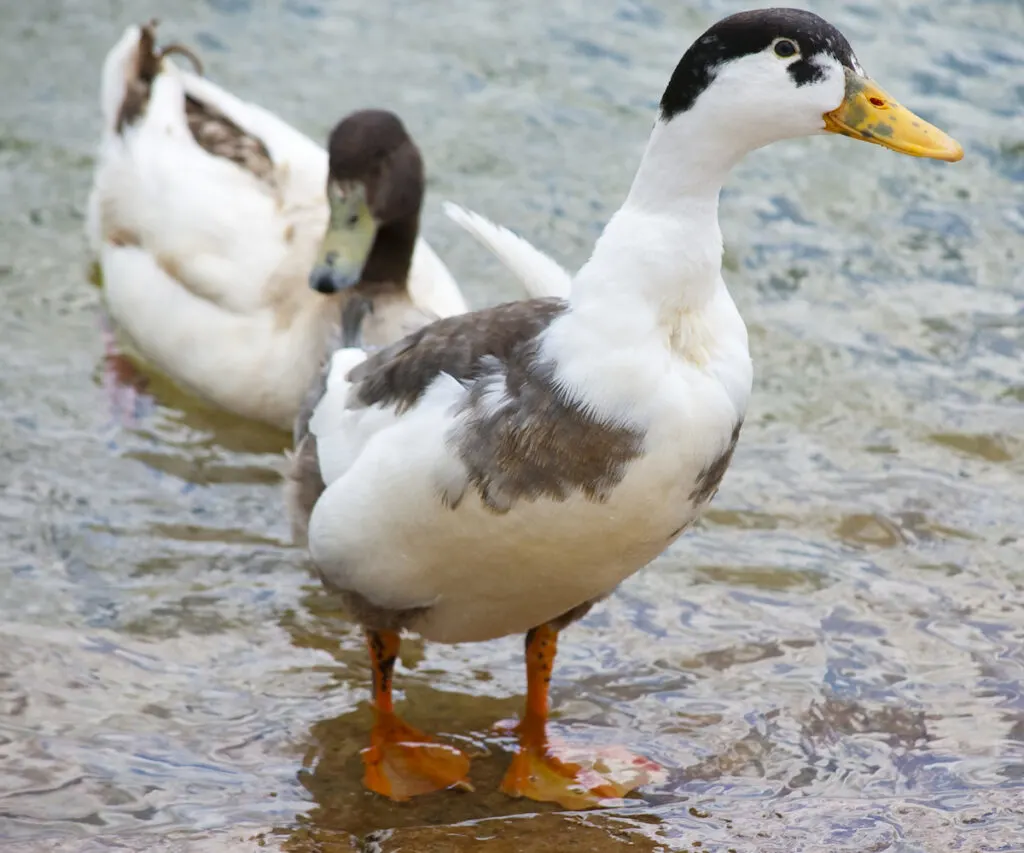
(536, 772)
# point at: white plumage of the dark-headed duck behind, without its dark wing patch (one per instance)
(204, 264)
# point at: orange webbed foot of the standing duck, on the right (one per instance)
(585, 783)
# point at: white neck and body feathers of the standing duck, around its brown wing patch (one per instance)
(653, 342)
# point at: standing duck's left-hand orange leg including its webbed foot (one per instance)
(401, 761)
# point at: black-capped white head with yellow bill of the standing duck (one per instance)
(765, 75)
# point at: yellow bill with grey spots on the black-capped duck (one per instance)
(872, 116)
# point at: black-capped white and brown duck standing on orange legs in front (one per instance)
(502, 472)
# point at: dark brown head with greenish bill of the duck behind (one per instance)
(375, 190)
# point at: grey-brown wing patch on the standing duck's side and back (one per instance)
(519, 434)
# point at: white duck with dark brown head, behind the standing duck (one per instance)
(208, 214)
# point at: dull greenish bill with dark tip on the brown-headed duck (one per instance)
(351, 234)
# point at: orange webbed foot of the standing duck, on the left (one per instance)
(404, 762)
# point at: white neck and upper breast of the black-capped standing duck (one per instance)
(653, 294)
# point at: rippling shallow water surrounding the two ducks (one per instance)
(834, 661)
